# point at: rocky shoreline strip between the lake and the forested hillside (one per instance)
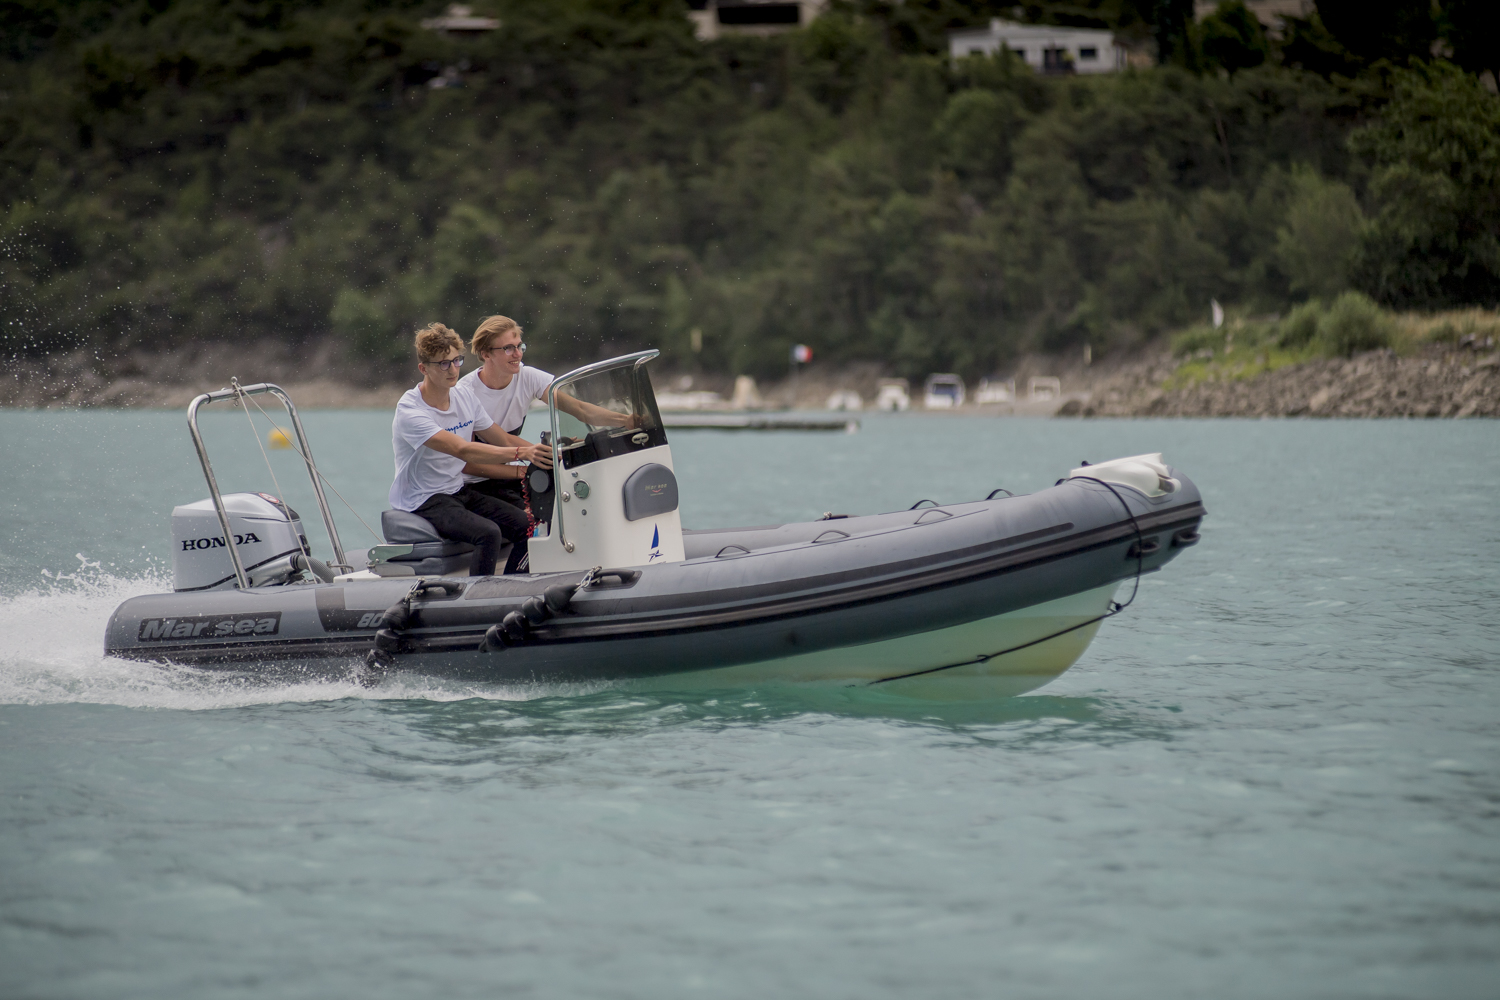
(1439, 382)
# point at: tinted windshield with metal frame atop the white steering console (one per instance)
(608, 413)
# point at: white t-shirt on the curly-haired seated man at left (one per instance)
(424, 472)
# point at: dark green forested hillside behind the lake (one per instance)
(247, 170)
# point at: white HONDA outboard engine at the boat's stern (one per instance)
(268, 534)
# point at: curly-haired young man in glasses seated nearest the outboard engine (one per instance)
(433, 439)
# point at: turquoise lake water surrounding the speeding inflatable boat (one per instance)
(1276, 776)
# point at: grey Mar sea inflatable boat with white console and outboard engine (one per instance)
(980, 599)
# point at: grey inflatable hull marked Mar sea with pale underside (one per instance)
(986, 599)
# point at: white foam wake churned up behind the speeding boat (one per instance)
(53, 641)
